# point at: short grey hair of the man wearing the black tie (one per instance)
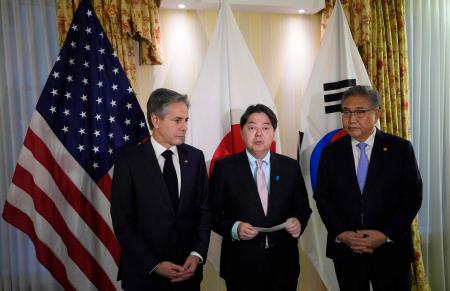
(160, 99)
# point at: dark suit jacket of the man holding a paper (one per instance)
(234, 197)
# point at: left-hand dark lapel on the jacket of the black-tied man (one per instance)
(155, 175)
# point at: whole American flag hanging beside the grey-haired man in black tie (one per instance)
(60, 192)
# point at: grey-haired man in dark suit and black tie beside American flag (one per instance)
(159, 203)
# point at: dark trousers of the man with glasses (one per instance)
(356, 272)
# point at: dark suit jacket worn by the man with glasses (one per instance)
(390, 200)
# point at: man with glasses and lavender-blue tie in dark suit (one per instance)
(368, 192)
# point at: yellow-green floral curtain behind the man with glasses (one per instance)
(378, 28)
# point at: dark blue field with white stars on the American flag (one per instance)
(88, 101)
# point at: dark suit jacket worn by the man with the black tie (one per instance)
(149, 230)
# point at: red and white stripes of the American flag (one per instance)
(65, 213)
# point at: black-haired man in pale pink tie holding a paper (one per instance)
(257, 188)
